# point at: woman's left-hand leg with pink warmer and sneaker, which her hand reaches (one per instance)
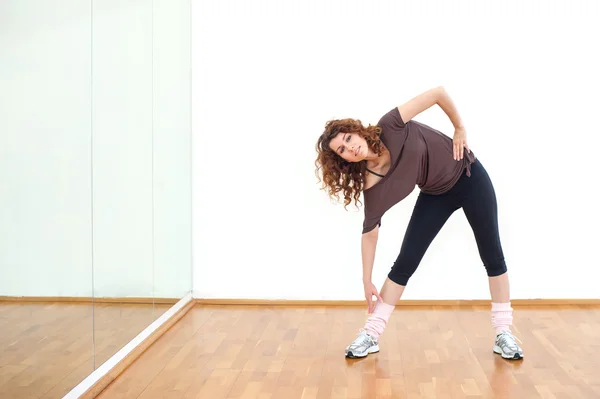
(429, 216)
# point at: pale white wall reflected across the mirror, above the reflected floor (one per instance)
(119, 74)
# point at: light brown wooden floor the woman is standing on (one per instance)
(295, 352)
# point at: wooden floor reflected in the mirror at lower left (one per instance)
(46, 348)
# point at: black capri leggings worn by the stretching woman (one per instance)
(476, 196)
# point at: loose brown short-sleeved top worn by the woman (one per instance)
(420, 156)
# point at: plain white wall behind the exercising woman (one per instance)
(268, 75)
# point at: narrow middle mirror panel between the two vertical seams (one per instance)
(122, 149)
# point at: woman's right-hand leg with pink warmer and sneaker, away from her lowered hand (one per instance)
(480, 208)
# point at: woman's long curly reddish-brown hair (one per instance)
(339, 175)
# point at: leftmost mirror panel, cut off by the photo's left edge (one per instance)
(46, 315)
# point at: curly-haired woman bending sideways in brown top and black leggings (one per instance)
(385, 162)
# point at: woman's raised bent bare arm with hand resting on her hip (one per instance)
(438, 96)
